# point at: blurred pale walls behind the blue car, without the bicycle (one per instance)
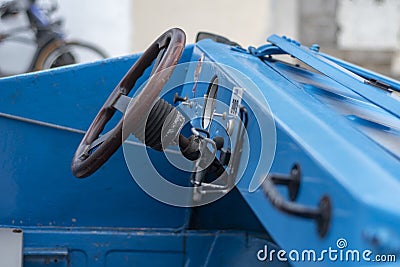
(365, 32)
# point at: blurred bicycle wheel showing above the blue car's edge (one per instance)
(60, 53)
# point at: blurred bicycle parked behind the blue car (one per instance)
(53, 49)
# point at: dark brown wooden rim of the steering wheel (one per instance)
(88, 159)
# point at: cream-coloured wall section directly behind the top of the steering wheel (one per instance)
(240, 21)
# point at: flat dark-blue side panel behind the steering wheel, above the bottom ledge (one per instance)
(35, 156)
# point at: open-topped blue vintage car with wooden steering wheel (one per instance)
(206, 154)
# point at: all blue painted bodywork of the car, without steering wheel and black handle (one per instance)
(345, 135)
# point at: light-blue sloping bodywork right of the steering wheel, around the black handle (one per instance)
(337, 158)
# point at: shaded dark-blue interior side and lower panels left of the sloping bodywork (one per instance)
(102, 221)
